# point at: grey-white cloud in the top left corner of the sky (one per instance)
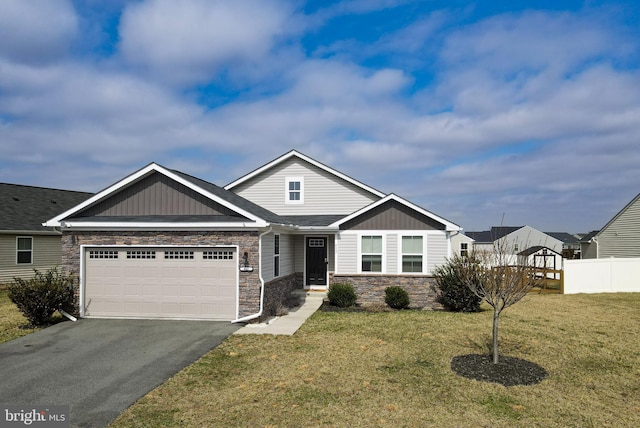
(36, 32)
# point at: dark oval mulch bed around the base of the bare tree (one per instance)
(509, 371)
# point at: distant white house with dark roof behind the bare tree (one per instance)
(515, 239)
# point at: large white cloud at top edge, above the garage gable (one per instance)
(190, 41)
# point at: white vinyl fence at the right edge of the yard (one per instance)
(602, 275)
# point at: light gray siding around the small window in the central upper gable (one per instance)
(323, 192)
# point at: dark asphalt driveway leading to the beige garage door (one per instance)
(101, 367)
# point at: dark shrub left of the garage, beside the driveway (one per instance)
(40, 296)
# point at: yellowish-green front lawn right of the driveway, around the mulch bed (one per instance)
(393, 369)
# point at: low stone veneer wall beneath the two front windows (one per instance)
(370, 288)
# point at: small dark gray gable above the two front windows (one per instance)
(392, 215)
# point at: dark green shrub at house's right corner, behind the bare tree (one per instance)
(450, 291)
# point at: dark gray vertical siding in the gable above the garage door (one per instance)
(157, 195)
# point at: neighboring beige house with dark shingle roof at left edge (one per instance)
(25, 244)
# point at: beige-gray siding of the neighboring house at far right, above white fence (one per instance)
(621, 237)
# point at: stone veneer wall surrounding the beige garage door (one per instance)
(246, 241)
